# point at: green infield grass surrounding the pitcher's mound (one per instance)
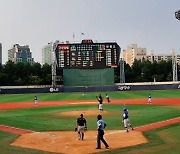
(46, 118)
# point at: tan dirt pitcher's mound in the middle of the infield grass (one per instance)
(84, 112)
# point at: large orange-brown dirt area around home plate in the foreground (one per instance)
(67, 142)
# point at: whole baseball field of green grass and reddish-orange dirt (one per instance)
(49, 127)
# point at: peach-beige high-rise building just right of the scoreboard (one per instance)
(133, 52)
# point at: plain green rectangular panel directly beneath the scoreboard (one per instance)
(88, 77)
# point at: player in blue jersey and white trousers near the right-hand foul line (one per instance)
(126, 121)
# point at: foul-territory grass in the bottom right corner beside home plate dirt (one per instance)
(161, 141)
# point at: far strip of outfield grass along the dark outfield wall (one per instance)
(89, 95)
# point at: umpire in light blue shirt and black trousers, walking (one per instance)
(101, 125)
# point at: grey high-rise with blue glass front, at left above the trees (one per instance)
(20, 54)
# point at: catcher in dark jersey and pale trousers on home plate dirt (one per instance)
(81, 127)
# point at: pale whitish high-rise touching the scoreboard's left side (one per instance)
(47, 54)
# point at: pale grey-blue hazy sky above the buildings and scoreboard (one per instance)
(150, 24)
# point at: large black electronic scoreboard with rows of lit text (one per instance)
(88, 55)
